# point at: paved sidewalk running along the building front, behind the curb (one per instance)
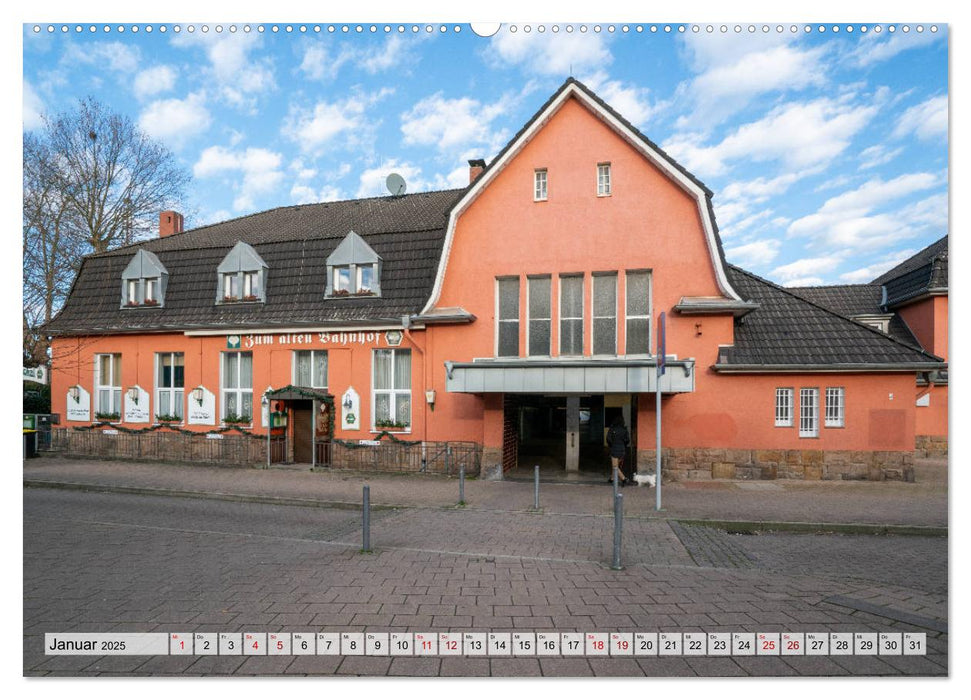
(827, 502)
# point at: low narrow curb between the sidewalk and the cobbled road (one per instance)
(731, 526)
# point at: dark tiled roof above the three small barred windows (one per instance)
(788, 330)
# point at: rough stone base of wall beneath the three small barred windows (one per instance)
(693, 464)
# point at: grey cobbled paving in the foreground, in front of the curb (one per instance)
(109, 562)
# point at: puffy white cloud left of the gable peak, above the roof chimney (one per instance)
(449, 123)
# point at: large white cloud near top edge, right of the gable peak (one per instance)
(728, 85)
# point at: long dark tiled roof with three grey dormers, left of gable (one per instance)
(407, 232)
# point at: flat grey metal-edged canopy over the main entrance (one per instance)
(569, 376)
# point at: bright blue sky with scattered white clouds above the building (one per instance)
(827, 151)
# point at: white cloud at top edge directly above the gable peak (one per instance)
(548, 54)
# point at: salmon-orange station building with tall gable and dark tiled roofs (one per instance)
(514, 318)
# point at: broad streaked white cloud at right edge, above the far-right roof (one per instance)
(849, 220)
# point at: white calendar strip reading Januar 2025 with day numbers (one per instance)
(493, 644)
